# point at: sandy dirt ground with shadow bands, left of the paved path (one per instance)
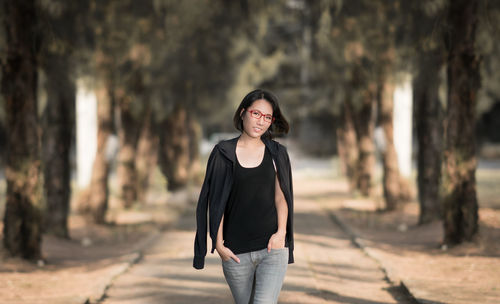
(78, 270)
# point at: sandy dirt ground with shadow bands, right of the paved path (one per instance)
(413, 254)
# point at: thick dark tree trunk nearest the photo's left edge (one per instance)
(22, 219)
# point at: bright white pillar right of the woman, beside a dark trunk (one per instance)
(403, 113)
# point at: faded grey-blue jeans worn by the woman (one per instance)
(258, 277)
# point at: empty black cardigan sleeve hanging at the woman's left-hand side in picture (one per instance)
(200, 242)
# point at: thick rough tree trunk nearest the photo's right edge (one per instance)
(459, 183)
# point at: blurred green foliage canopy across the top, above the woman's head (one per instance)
(208, 54)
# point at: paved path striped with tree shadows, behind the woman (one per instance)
(328, 268)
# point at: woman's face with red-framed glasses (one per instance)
(256, 127)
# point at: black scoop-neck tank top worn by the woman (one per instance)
(250, 217)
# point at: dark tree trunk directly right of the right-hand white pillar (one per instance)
(429, 59)
